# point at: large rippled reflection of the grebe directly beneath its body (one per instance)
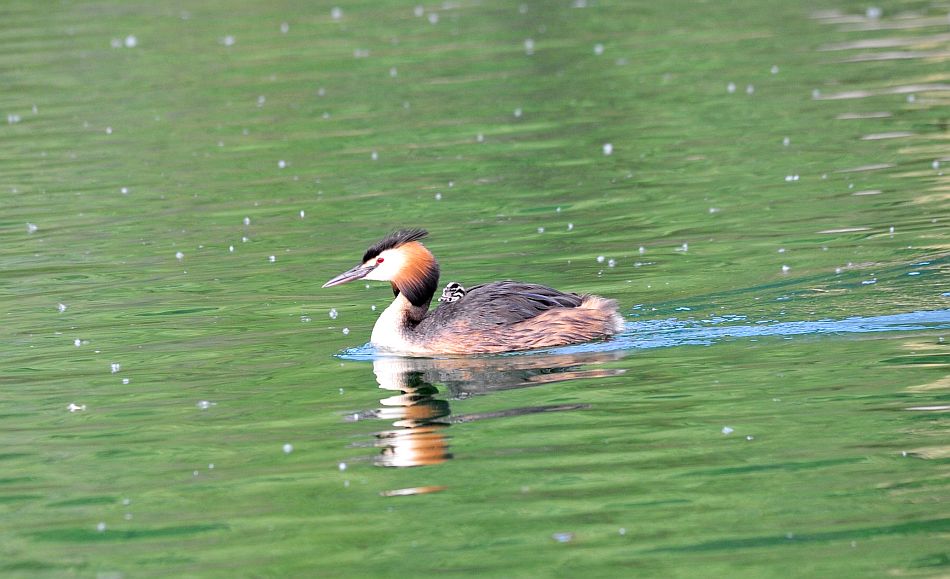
(420, 419)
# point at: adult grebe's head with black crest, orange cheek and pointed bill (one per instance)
(398, 258)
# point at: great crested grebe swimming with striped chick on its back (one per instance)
(501, 316)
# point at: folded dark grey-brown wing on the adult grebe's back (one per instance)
(502, 303)
